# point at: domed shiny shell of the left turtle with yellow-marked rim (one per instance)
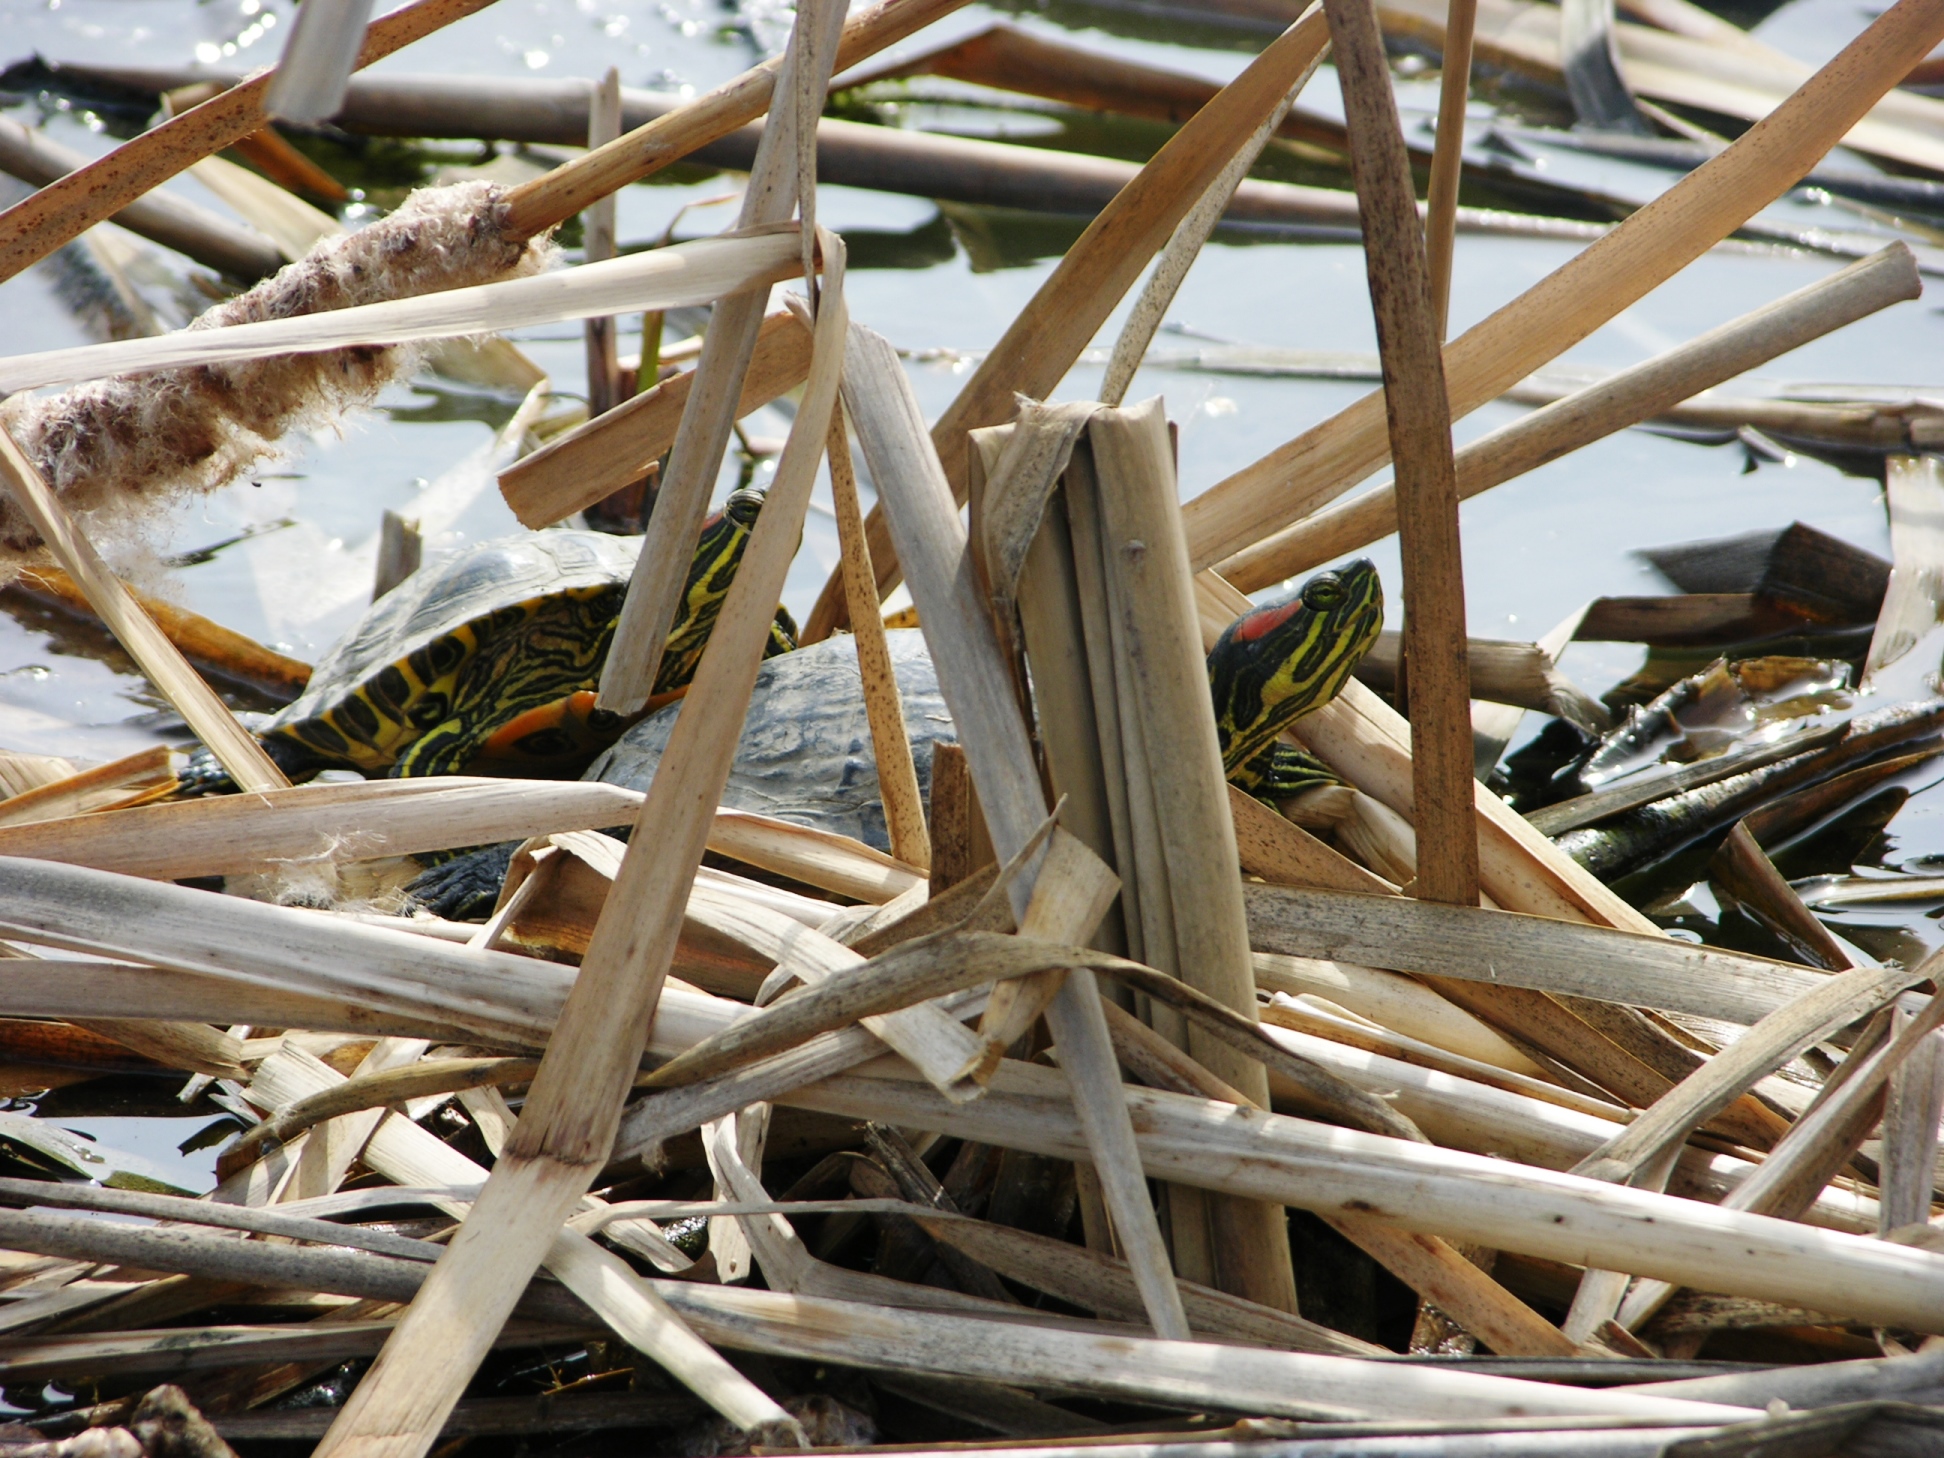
(438, 617)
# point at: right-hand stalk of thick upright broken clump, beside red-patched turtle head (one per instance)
(1160, 658)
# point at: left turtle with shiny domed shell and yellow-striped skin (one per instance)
(487, 662)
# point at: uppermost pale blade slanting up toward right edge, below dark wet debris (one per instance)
(1733, 1072)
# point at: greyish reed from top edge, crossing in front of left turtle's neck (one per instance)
(709, 419)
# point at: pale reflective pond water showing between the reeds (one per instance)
(287, 555)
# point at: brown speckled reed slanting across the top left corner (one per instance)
(63, 211)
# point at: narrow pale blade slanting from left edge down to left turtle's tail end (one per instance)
(166, 668)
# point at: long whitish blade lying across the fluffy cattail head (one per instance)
(662, 279)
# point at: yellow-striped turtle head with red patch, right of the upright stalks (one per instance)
(1276, 664)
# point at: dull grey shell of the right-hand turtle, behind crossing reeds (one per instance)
(806, 751)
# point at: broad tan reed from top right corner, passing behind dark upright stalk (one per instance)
(1644, 252)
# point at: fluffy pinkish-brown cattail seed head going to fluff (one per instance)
(125, 450)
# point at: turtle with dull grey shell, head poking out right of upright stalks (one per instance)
(806, 749)
